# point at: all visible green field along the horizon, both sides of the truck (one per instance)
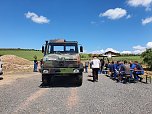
(29, 54)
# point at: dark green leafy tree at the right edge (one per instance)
(147, 57)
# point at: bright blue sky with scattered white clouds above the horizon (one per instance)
(99, 25)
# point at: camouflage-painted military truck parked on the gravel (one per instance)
(61, 58)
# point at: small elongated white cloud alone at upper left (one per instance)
(37, 19)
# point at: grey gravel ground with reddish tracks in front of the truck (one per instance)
(24, 96)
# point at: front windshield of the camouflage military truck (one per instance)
(64, 48)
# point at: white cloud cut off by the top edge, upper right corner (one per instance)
(135, 3)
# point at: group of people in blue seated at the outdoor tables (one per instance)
(124, 71)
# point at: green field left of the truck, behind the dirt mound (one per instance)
(27, 54)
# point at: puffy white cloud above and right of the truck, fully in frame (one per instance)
(114, 14)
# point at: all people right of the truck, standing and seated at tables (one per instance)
(119, 71)
